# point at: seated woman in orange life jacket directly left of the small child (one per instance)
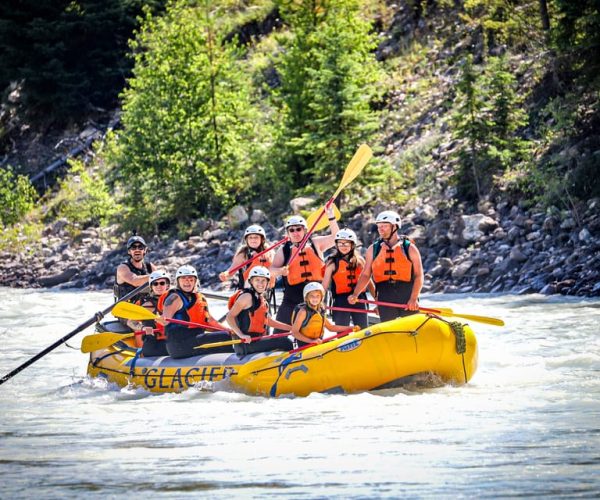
(249, 317)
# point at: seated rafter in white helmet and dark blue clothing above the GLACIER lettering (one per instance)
(185, 303)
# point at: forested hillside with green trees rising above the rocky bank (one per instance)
(467, 105)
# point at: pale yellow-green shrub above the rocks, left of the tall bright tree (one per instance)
(83, 199)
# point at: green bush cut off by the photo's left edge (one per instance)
(17, 197)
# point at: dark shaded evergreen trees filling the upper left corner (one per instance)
(68, 54)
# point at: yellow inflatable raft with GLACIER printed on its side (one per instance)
(384, 355)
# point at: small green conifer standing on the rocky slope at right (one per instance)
(487, 117)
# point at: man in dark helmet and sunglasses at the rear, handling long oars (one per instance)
(135, 270)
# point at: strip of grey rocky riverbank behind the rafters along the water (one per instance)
(502, 248)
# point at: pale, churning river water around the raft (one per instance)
(528, 424)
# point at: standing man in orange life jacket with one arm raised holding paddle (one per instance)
(306, 267)
